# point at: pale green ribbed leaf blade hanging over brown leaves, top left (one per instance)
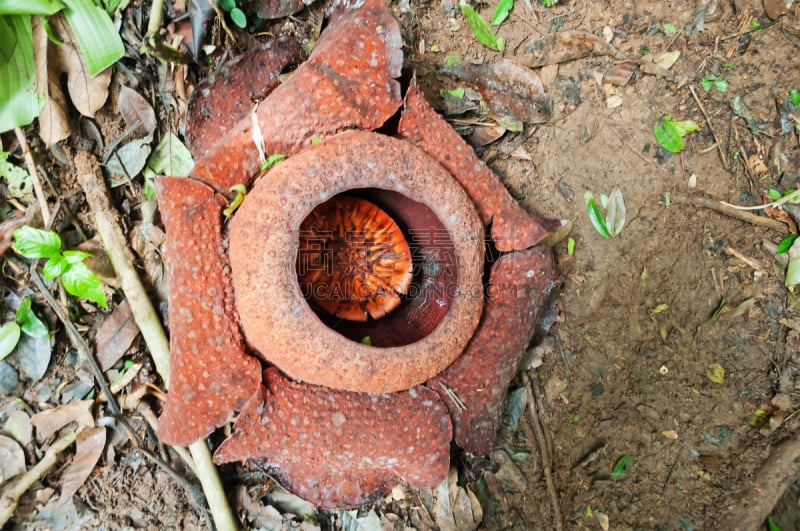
(97, 37)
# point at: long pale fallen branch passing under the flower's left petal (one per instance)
(91, 180)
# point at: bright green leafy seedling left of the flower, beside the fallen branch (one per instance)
(75, 276)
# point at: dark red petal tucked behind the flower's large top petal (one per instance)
(230, 94)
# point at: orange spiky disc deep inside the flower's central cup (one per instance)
(353, 260)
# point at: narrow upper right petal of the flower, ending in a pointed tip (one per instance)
(512, 227)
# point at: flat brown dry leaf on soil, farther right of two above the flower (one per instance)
(564, 46)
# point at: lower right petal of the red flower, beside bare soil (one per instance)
(520, 284)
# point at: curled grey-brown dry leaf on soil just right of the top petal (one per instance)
(509, 89)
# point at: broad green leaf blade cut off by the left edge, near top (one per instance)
(19, 102)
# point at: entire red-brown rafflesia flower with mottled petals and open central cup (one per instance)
(371, 298)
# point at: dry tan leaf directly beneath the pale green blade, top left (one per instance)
(87, 93)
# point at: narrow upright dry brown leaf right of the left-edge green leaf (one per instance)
(53, 120)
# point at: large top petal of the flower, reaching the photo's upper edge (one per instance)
(348, 82)
